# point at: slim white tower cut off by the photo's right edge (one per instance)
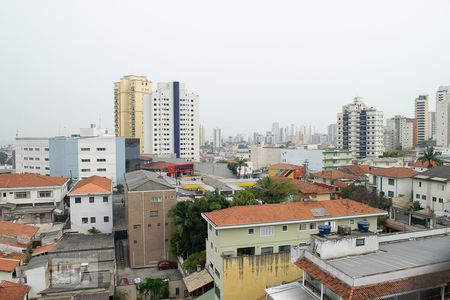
(443, 116)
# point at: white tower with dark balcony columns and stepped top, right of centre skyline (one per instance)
(360, 129)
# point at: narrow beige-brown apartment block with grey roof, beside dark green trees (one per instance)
(148, 199)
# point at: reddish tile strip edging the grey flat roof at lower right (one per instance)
(375, 291)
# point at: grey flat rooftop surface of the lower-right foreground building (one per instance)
(396, 256)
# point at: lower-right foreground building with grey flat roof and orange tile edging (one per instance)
(363, 265)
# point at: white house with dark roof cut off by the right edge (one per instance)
(432, 189)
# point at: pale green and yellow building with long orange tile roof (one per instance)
(248, 247)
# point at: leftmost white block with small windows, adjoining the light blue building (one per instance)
(32, 155)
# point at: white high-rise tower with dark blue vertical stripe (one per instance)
(171, 122)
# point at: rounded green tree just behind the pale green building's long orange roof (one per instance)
(269, 190)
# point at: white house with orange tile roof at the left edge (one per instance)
(31, 198)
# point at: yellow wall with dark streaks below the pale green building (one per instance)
(246, 277)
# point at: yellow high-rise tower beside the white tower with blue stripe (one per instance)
(129, 95)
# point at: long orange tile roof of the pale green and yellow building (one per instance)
(290, 211)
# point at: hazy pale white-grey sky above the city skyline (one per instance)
(251, 62)
